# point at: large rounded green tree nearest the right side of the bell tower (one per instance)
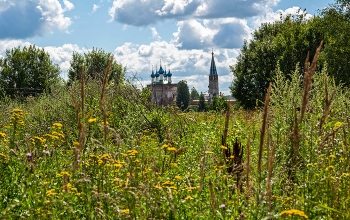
(285, 42)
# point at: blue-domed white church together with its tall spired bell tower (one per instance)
(163, 91)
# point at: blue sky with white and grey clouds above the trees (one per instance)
(182, 33)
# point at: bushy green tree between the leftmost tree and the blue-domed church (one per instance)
(95, 63)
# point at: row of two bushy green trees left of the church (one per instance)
(29, 71)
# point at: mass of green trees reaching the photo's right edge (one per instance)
(285, 44)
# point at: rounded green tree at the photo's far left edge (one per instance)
(27, 71)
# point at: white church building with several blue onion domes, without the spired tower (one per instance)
(163, 92)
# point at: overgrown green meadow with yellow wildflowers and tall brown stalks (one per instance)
(104, 152)
